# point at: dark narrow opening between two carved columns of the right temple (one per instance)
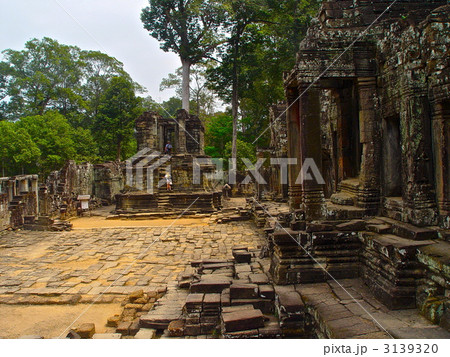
(392, 162)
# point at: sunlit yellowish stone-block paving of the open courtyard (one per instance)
(77, 266)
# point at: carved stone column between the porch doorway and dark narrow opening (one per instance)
(370, 137)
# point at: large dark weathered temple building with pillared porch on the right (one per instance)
(374, 115)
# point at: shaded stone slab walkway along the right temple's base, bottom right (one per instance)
(355, 313)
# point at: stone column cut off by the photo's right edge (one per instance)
(441, 139)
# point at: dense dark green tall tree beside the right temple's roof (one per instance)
(263, 39)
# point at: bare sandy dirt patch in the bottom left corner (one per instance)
(50, 321)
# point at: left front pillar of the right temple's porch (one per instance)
(311, 148)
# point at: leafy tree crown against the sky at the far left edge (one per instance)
(44, 75)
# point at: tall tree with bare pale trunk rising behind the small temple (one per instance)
(190, 28)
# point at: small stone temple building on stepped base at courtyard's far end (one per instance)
(146, 171)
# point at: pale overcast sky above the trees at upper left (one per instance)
(110, 26)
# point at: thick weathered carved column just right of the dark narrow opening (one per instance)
(415, 128)
